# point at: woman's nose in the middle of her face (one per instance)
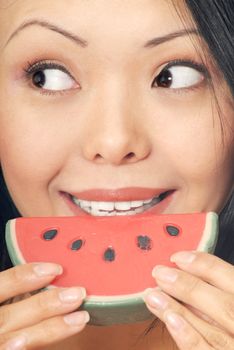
(115, 133)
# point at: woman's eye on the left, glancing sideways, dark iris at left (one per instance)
(50, 76)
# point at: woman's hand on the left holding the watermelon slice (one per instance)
(41, 319)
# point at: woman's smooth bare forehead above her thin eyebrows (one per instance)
(91, 16)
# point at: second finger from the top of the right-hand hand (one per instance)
(216, 304)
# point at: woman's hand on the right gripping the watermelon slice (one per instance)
(196, 301)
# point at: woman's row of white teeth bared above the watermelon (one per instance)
(96, 208)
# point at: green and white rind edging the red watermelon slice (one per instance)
(108, 310)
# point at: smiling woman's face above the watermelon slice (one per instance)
(107, 107)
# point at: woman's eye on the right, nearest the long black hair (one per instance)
(180, 75)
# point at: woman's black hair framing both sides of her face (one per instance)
(214, 20)
